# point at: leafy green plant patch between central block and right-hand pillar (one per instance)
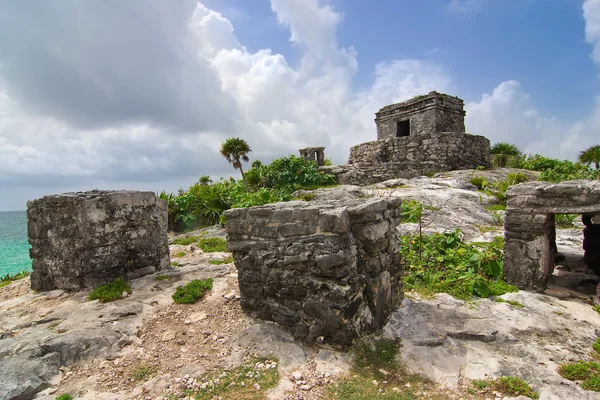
(443, 263)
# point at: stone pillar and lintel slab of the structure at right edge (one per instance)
(530, 231)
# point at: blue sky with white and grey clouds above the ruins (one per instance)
(140, 94)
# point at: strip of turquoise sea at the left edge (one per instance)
(14, 247)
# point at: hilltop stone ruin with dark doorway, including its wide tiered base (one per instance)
(423, 135)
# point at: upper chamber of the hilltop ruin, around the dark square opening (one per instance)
(428, 114)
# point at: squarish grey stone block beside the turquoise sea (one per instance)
(82, 240)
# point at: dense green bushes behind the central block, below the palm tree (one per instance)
(204, 202)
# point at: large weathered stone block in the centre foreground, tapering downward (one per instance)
(326, 271)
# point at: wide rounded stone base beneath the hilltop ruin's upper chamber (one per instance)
(412, 156)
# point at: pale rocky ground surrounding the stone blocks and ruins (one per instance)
(146, 347)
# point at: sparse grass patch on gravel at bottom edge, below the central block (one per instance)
(246, 382)
